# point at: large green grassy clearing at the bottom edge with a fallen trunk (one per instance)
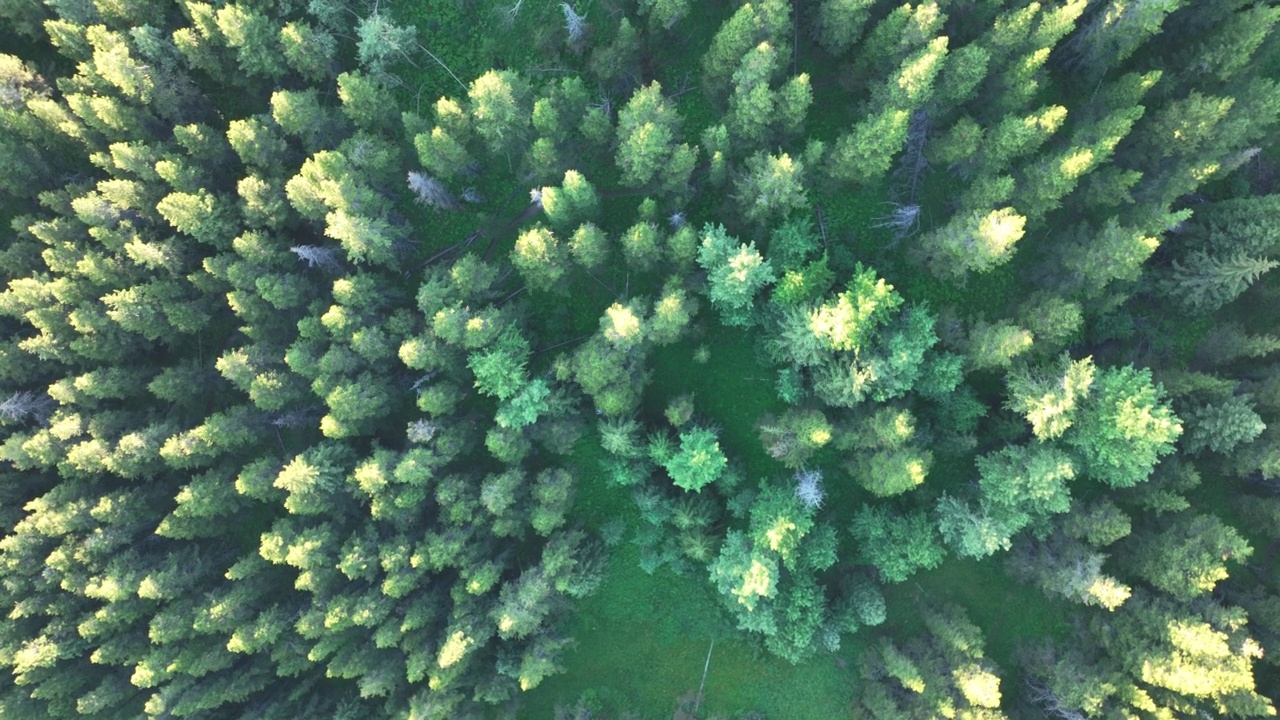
(642, 646)
